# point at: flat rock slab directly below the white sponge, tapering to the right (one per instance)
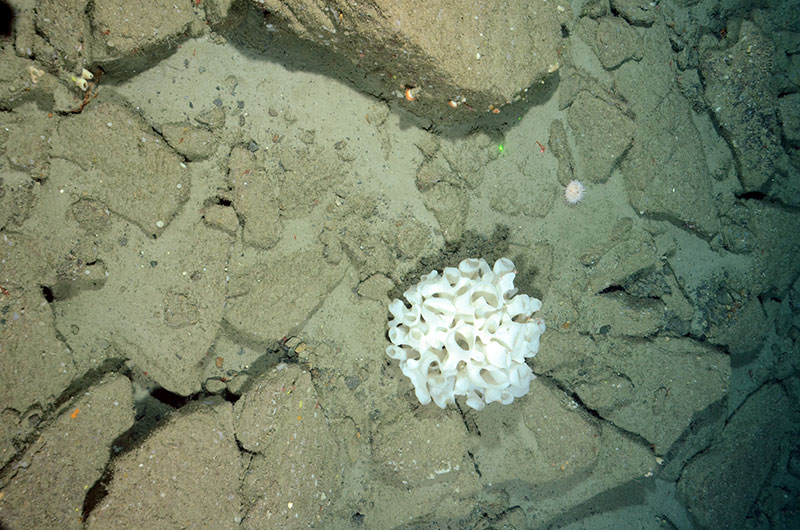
(549, 457)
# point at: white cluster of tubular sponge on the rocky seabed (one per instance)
(466, 334)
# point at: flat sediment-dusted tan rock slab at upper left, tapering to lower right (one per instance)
(123, 164)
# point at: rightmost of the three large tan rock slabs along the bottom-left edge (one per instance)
(297, 466)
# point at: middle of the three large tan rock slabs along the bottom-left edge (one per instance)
(185, 475)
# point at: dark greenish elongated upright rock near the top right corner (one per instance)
(738, 92)
